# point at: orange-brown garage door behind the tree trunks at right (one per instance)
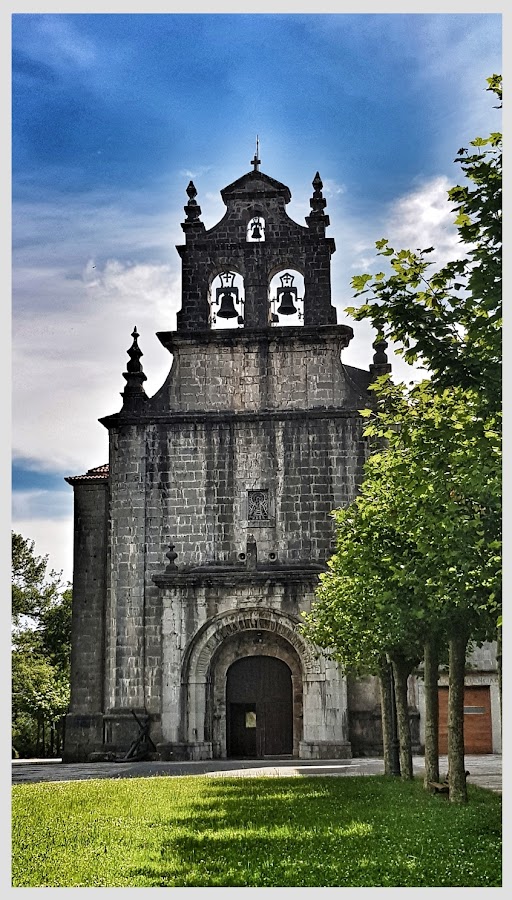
(477, 720)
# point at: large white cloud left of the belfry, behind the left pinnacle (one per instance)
(68, 361)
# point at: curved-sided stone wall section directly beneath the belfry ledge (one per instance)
(251, 370)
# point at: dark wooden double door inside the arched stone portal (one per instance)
(259, 705)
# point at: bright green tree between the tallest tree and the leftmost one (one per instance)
(452, 480)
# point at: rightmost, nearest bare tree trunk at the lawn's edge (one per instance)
(456, 764)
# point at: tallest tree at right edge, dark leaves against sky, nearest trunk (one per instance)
(450, 322)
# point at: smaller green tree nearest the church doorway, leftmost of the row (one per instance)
(363, 616)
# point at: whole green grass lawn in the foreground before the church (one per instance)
(253, 832)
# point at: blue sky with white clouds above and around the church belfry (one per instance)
(114, 113)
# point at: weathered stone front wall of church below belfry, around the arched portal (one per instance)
(272, 414)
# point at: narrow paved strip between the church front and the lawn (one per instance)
(485, 771)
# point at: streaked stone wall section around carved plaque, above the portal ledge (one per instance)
(198, 477)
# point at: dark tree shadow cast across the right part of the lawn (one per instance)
(361, 832)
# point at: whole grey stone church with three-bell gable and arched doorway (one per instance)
(199, 547)
